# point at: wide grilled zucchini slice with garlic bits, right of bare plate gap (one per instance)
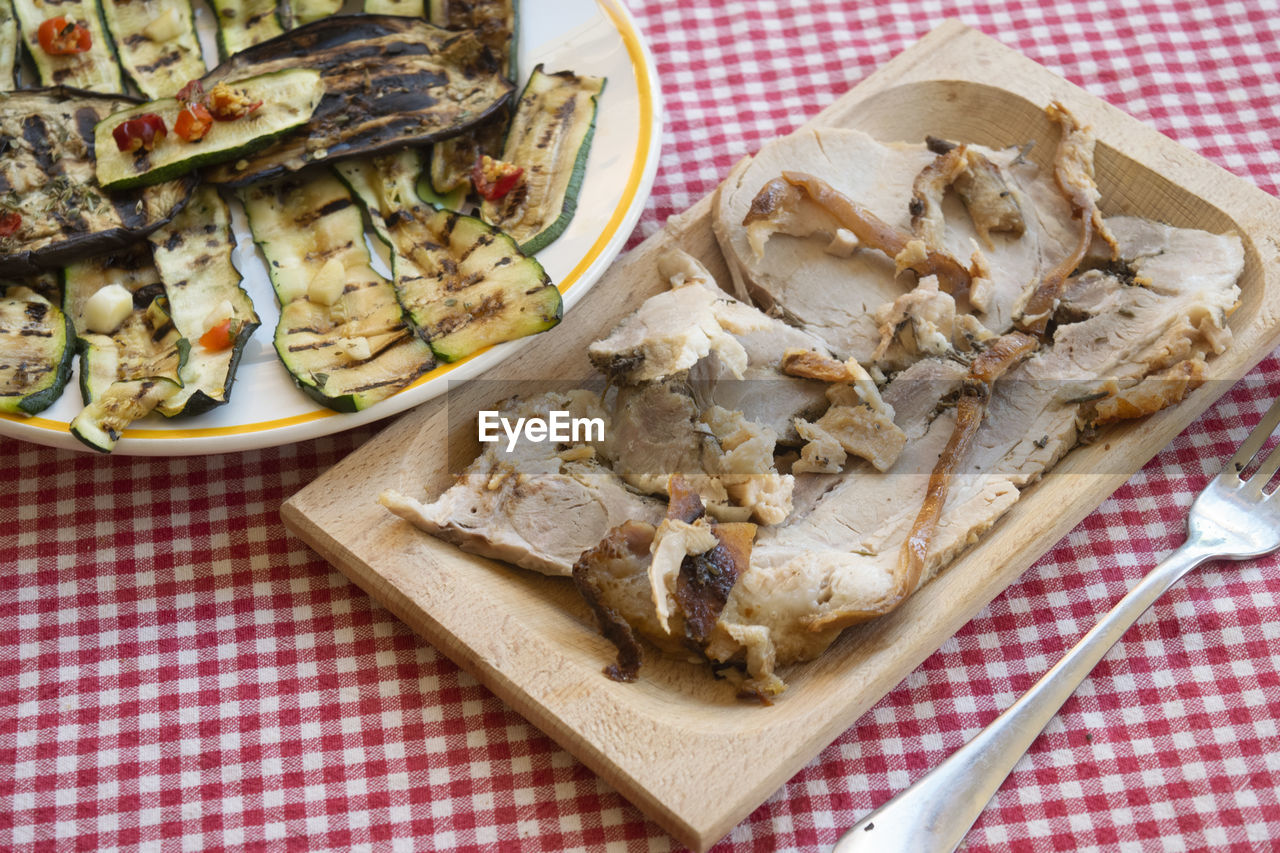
(342, 335)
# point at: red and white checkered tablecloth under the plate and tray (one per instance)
(179, 673)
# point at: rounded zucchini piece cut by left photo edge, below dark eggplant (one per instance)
(36, 349)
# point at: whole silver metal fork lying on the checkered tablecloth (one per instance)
(1233, 518)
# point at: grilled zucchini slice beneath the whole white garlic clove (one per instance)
(127, 372)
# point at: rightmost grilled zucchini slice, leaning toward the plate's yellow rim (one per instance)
(550, 139)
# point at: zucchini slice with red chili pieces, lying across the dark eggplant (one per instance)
(289, 101)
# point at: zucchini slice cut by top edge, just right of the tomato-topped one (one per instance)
(157, 43)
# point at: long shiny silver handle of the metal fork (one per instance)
(936, 813)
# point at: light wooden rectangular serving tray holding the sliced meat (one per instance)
(678, 743)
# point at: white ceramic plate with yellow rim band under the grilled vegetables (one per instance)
(593, 38)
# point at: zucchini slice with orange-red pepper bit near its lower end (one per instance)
(194, 258)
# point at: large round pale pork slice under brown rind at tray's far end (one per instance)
(817, 284)
